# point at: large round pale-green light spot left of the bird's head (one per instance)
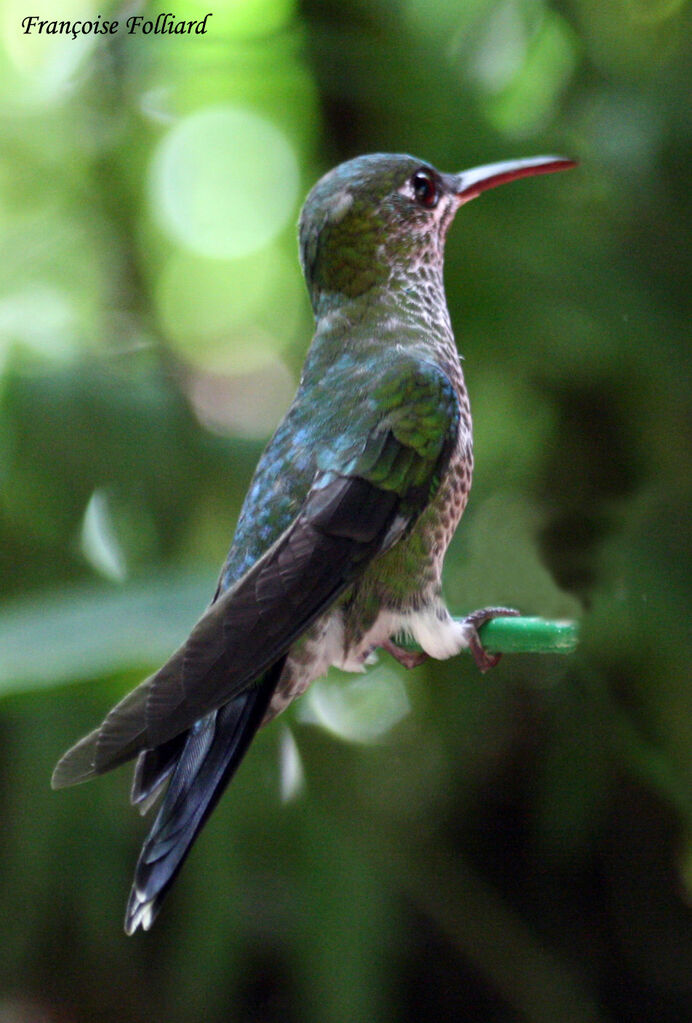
(225, 183)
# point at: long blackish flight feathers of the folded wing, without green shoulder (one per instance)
(248, 629)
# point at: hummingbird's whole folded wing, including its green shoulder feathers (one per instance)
(361, 504)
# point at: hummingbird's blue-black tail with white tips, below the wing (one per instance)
(210, 755)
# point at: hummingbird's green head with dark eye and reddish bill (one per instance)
(383, 216)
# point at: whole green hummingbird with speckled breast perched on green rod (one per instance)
(339, 547)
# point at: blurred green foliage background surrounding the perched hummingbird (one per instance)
(436, 847)
